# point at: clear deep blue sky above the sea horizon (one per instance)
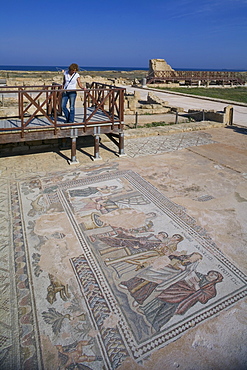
(125, 33)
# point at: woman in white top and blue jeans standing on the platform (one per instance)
(70, 79)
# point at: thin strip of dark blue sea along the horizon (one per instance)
(127, 69)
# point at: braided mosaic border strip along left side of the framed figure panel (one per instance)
(102, 303)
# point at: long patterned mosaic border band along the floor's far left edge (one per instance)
(23, 348)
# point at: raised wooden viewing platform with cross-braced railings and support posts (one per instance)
(36, 114)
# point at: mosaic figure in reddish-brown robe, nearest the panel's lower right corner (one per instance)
(180, 297)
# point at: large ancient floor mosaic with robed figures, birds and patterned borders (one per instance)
(103, 268)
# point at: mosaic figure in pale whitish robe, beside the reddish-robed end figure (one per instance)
(160, 274)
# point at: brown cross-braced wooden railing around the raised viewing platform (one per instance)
(45, 101)
